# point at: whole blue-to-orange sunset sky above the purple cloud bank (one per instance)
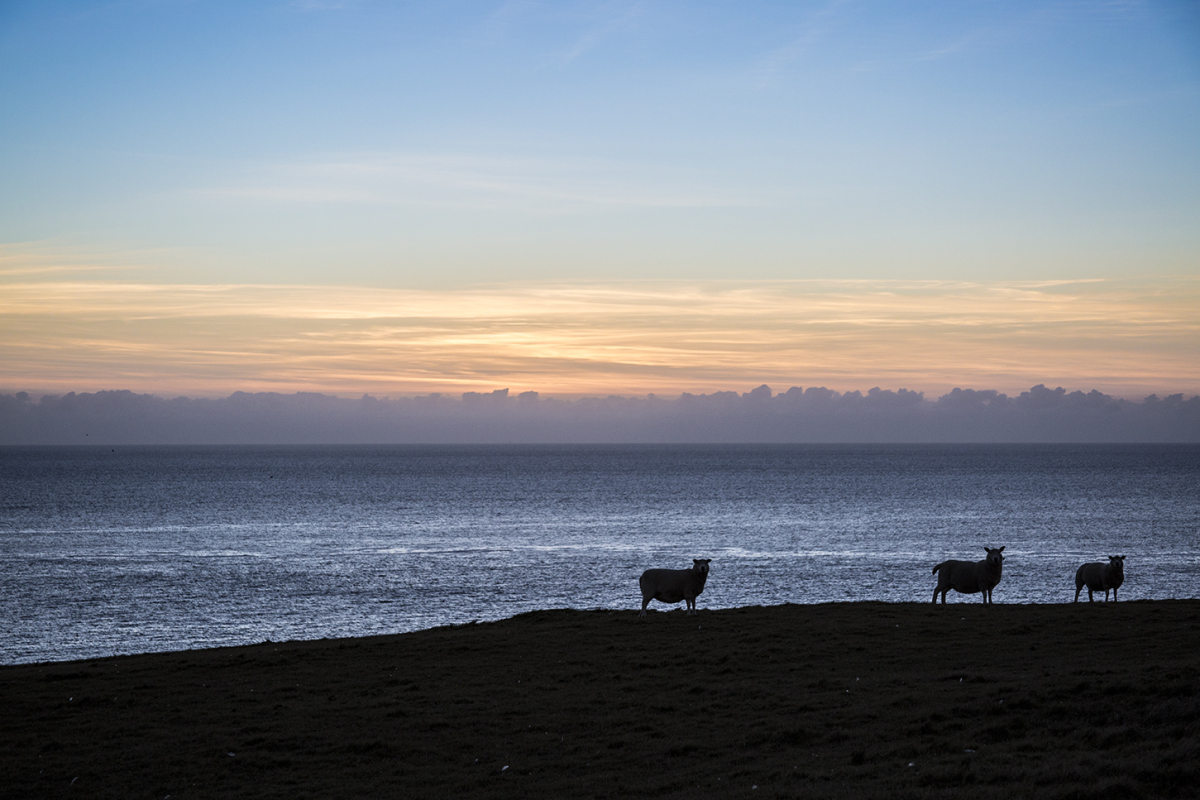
(598, 199)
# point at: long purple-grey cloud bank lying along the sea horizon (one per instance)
(761, 416)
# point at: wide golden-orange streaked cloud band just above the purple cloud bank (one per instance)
(1124, 338)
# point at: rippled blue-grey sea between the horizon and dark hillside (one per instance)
(131, 550)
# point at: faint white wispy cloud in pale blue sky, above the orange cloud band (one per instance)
(483, 183)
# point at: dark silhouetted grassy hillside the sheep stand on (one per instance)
(835, 701)
